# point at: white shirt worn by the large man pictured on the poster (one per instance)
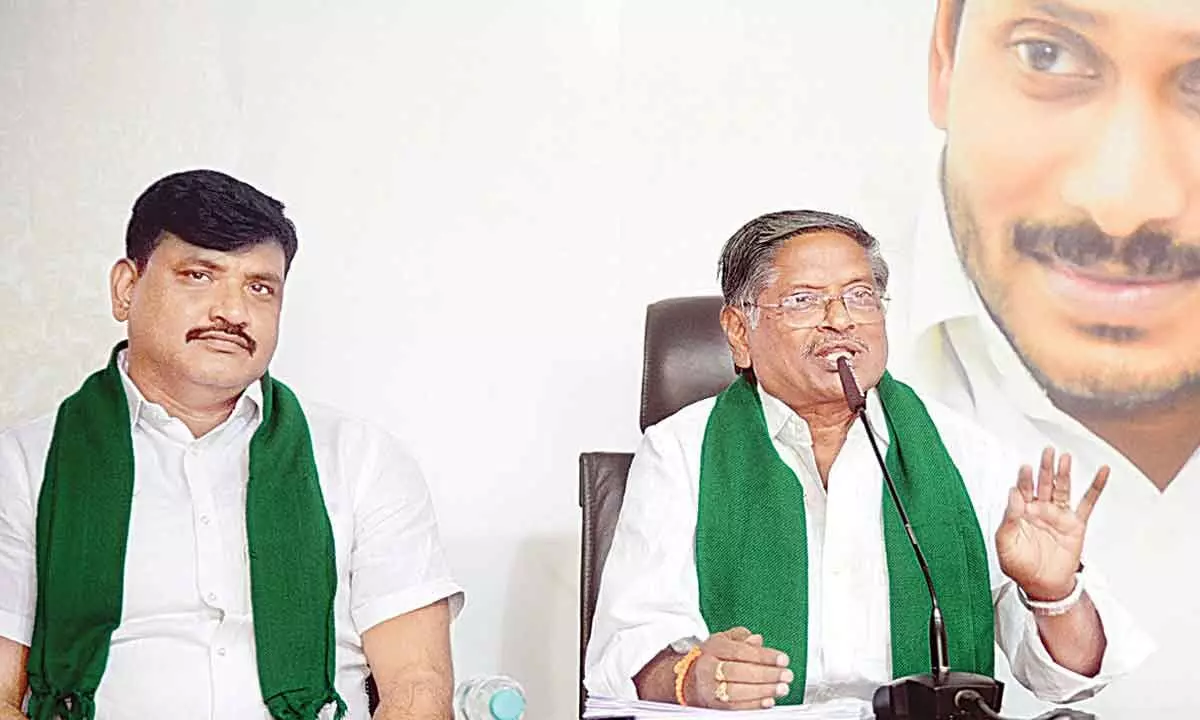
(947, 346)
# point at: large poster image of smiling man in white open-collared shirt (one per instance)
(1052, 292)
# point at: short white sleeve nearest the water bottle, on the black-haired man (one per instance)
(398, 563)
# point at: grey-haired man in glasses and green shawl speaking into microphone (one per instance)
(758, 559)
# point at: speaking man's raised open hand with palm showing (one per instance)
(1041, 539)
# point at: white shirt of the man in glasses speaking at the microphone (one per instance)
(650, 595)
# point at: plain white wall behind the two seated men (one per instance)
(488, 195)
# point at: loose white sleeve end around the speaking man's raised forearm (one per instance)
(1127, 647)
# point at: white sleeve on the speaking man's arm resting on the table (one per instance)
(649, 591)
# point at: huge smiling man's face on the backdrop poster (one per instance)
(1071, 175)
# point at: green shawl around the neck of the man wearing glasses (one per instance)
(752, 542)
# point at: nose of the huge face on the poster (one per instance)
(1131, 172)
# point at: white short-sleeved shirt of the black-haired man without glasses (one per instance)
(185, 645)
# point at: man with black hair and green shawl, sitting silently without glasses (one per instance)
(185, 538)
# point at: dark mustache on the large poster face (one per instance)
(1147, 254)
